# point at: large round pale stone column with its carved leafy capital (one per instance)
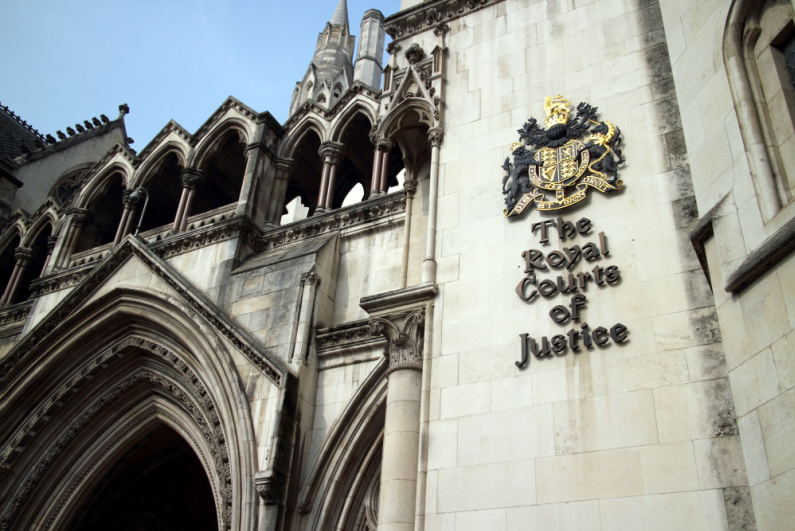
(404, 333)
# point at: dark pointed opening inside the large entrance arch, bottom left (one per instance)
(159, 484)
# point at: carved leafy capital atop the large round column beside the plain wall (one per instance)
(405, 335)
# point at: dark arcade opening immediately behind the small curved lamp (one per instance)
(165, 189)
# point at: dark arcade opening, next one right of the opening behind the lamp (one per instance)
(223, 175)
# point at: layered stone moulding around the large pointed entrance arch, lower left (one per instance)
(91, 378)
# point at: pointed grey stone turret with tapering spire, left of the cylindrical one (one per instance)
(330, 74)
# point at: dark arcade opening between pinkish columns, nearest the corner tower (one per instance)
(357, 166)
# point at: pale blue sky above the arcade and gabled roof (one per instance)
(65, 61)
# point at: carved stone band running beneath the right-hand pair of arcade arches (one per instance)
(366, 211)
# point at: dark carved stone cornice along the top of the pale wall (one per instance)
(429, 15)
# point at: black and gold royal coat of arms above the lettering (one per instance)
(552, 160)
